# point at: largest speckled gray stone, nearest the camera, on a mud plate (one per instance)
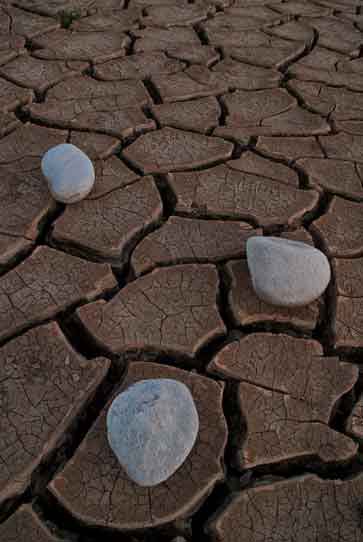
(152, 427)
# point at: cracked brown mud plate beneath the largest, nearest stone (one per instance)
(95, 489)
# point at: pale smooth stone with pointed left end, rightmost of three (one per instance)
(286, 273)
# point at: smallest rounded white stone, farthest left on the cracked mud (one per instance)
(69, 172)
